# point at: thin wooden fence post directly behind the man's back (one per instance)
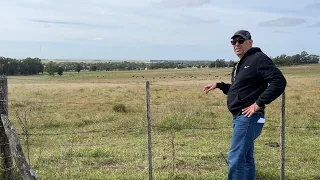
(282, 137)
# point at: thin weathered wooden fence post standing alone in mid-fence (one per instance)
(149, 130)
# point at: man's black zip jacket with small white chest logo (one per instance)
(254, 79)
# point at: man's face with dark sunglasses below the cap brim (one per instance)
(240, 45)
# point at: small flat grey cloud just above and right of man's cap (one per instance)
(283, 22)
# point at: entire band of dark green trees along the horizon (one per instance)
(32, 66)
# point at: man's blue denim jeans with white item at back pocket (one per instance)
(241, 155)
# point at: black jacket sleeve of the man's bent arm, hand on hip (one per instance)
(277, 82)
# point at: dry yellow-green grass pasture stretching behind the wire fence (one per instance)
(77, 132)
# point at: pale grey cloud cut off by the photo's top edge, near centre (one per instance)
(183, 3)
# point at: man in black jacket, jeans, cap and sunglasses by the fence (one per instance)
(255, 82)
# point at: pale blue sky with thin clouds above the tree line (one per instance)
(155, 29)
